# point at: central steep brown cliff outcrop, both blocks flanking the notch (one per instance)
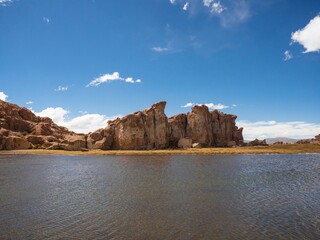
(151, 129)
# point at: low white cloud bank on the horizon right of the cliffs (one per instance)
(271, 129)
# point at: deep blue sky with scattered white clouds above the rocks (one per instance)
(82, 62)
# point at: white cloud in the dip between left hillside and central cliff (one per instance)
(81, 124)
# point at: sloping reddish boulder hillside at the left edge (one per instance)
(21, 129)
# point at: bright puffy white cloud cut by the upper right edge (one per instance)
(309, 36)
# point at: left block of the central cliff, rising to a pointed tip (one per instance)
(146, 129)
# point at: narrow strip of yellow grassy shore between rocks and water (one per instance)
(272, 149)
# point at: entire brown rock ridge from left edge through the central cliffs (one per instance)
(148, 129)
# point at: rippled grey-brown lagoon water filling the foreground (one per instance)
(160, 197)
